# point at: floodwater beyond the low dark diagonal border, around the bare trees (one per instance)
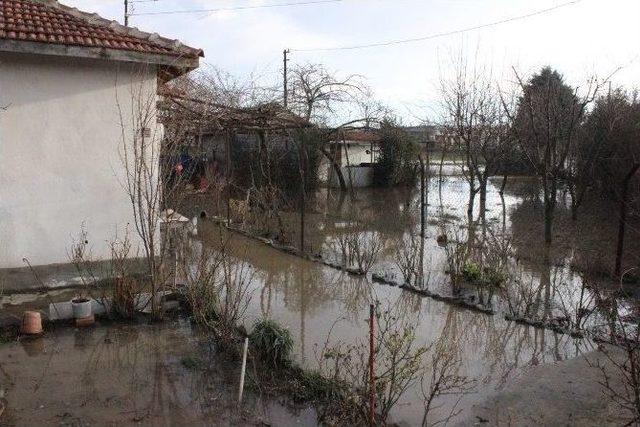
(582, 253)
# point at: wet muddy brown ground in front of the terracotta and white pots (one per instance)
(164, 374)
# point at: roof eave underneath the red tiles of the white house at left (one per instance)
(183, 63)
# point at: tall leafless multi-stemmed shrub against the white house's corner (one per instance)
(143, 146)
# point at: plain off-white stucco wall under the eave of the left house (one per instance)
(60, 139)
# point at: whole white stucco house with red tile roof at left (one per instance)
(67, 80)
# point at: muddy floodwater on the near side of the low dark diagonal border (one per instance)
(309, 298)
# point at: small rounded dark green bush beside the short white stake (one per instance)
(272, 341)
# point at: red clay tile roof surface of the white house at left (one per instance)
(47, 21)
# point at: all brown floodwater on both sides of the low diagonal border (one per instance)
(313, 300)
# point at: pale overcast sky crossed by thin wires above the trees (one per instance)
(590, 37)
